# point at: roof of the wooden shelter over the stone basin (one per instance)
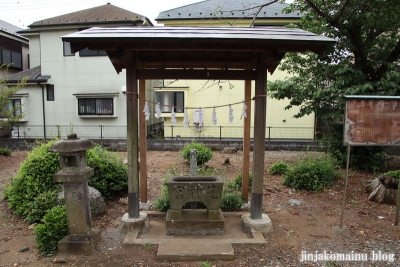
(197, 47)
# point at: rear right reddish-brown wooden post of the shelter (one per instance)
(246, 142)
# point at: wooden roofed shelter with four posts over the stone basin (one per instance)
(200, 53)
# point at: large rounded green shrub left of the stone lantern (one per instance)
(34, 178)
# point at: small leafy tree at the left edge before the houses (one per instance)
(9, 115)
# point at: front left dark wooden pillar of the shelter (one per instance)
(132, 140)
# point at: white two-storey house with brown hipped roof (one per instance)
(65, 91)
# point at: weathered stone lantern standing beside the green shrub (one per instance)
(74, 175)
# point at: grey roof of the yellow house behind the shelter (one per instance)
(228, 9)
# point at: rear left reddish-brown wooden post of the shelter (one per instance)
(143, 142)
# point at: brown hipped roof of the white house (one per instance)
(105, 14)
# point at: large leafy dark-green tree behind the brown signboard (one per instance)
(364, 61)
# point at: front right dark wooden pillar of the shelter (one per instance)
(260, 106)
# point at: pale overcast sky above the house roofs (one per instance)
(21, 13)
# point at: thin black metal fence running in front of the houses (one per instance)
(159, 131)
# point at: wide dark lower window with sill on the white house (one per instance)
(95, 106)
